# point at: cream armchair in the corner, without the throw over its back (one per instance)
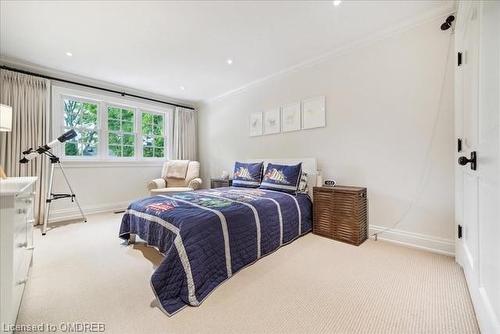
(165, 184)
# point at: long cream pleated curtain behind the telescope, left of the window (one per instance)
(29, 98)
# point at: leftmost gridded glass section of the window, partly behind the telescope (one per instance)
(81, 117)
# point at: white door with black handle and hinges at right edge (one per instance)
(477, 110)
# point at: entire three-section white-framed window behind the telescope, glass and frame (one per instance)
(110, 128)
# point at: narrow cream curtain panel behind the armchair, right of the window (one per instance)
(185, 142)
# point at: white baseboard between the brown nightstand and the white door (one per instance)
(416, 240)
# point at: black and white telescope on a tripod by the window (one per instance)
(31, 154)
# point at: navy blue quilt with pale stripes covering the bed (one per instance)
(207, 236)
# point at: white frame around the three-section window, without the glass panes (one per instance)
(103, 101)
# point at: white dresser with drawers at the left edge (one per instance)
(16, 243)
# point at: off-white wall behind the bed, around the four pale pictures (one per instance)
(382, 100)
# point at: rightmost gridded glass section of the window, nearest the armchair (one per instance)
(153, 141)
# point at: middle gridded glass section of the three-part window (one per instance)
(121, 137)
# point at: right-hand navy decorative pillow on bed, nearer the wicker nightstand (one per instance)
(282, 177)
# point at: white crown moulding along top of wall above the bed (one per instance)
(372, 38)
